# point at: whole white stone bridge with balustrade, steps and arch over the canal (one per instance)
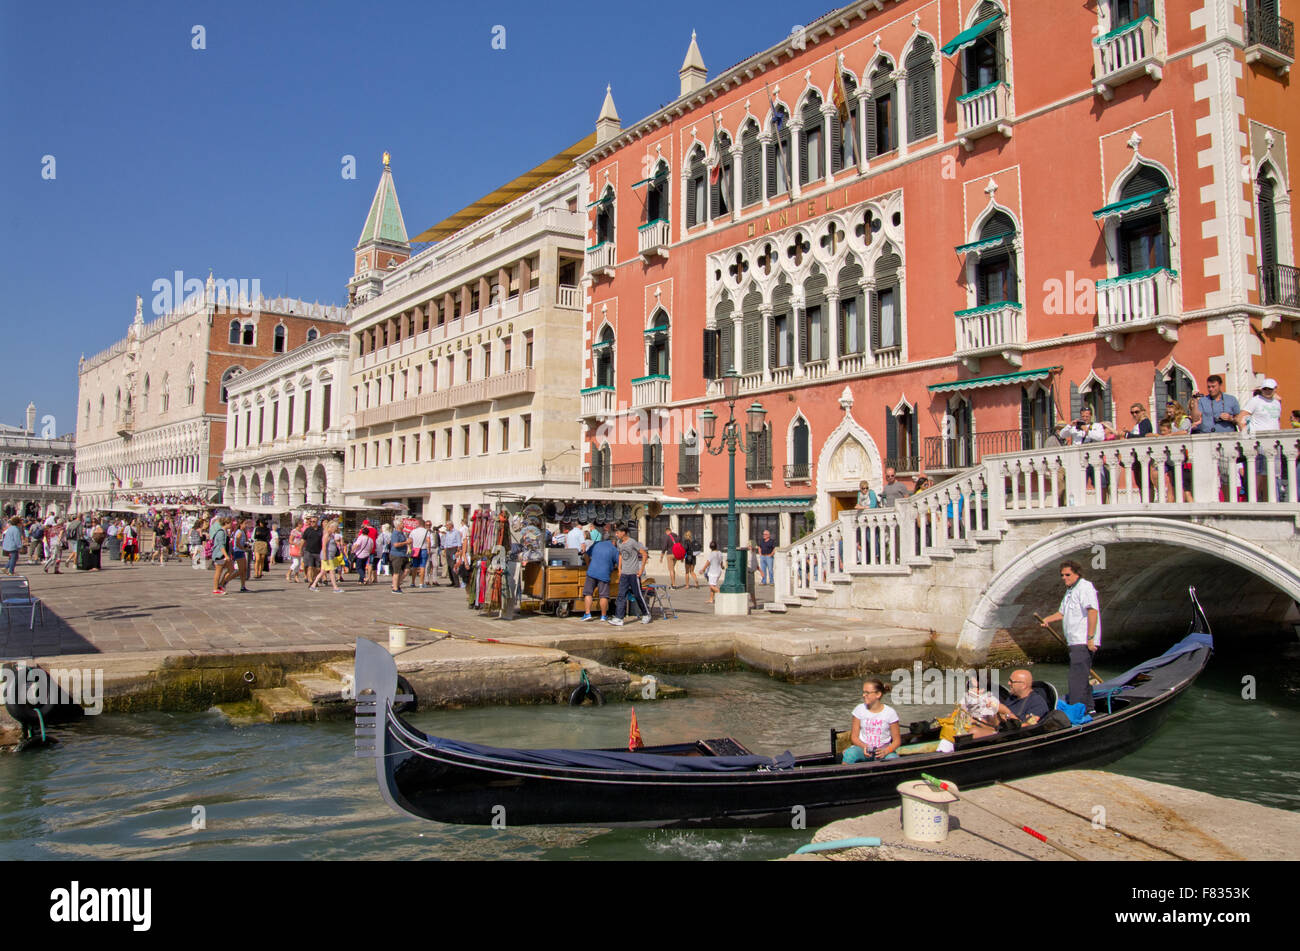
(976, 557)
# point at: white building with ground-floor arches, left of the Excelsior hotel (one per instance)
(285, 431)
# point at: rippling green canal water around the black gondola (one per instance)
(128, 787)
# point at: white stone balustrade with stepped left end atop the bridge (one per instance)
(1229, 472)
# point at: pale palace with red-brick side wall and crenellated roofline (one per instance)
(151, 410)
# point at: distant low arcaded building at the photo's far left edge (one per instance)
(37, 472)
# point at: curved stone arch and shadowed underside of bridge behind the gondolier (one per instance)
(1149, 564)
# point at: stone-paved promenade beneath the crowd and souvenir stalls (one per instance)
(171, 609)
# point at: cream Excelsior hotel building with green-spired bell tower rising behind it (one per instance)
(466, 359)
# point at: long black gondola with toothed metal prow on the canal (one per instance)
(718, 783)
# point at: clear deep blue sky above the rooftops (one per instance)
(168, 158)
